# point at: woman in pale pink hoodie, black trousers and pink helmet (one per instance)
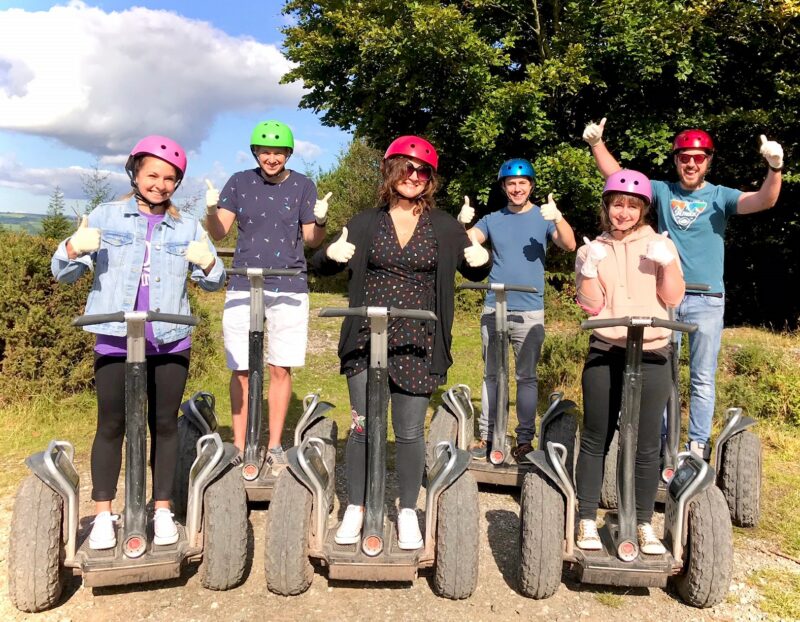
(628, 270)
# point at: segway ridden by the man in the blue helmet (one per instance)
(454, 419)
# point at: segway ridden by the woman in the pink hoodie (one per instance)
(697, 526)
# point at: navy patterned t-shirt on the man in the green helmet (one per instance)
(270, 218)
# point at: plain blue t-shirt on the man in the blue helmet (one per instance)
(519, 244)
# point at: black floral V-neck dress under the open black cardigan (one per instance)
(404, 278)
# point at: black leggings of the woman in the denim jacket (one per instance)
(166, 379)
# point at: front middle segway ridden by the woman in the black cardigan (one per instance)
(299, 527)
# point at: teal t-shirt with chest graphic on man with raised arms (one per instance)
(696, 222)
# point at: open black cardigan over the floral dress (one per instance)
(451, 239)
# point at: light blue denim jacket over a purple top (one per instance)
(117, 266)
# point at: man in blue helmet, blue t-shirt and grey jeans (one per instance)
(518, 234)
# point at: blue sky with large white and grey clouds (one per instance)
(82, 81)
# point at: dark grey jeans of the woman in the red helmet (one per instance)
(408, 422)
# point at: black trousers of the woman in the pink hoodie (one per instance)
(602, 396)
